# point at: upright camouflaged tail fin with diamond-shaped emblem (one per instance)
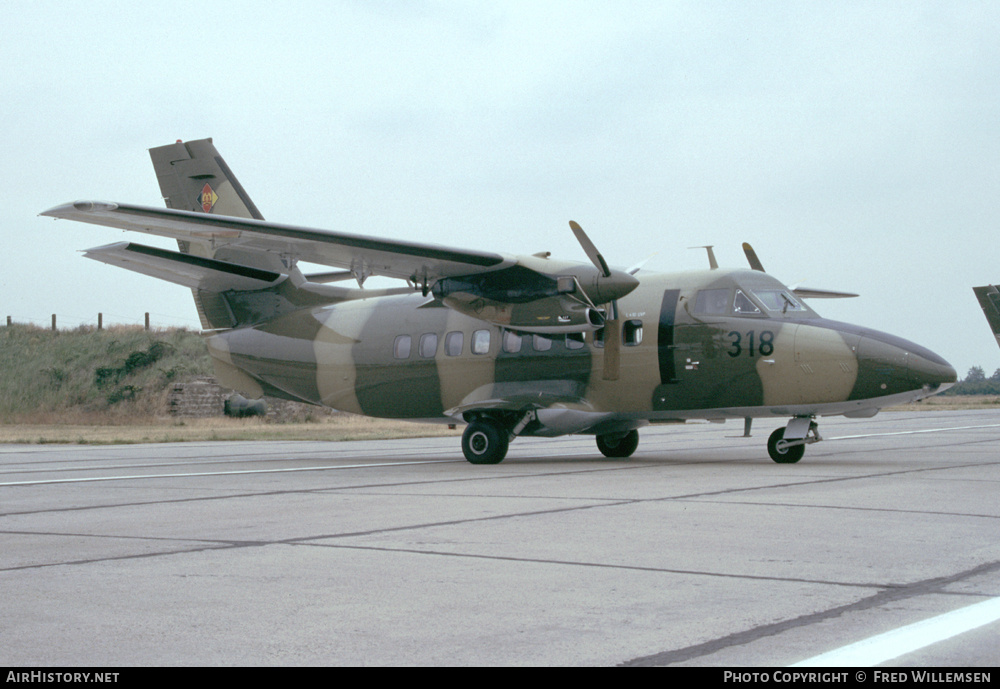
(194, 177)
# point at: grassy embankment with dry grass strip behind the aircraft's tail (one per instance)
(112, 386)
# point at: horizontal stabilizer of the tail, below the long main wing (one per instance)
(184, 269)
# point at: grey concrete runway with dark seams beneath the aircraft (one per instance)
(698, 550)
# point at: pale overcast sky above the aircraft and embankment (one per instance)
(855, 145)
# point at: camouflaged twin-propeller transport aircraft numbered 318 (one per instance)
(509, 345)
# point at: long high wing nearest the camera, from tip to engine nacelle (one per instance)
(364, 256)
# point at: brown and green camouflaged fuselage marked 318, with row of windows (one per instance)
(681, 357)
